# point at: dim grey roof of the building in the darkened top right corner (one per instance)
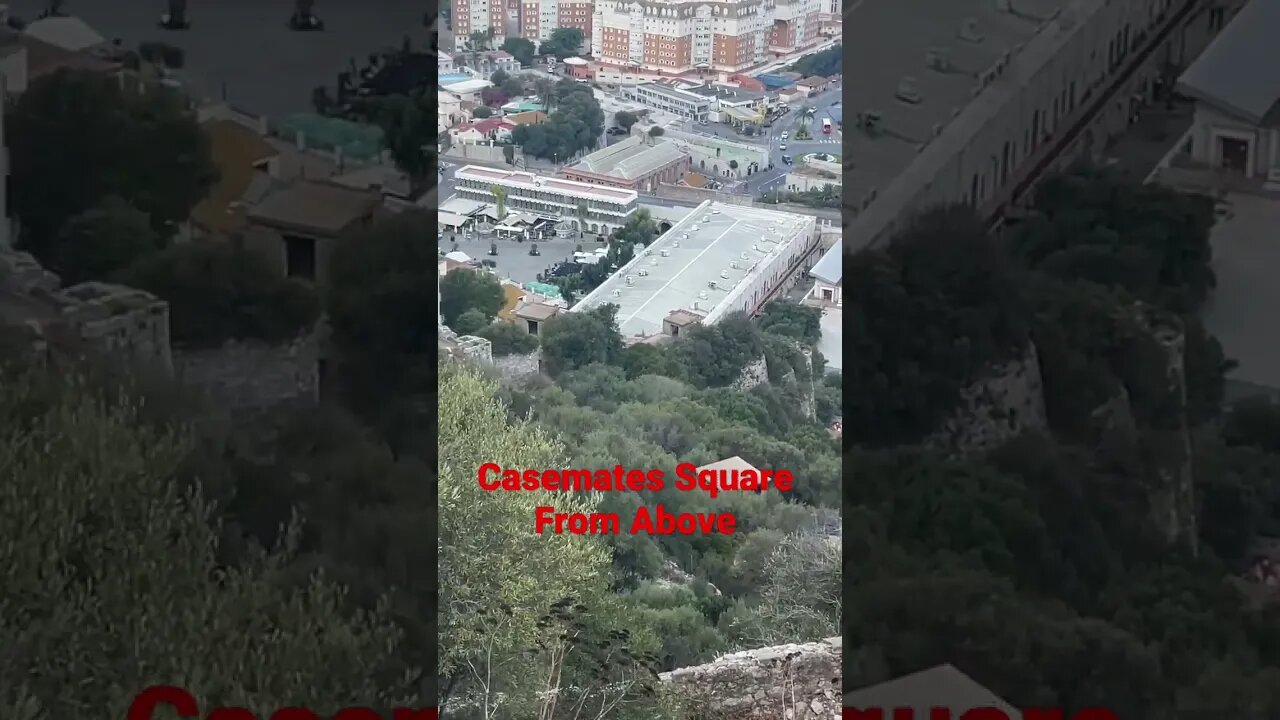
(1237, 72)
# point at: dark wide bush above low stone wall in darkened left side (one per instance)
(220, 291)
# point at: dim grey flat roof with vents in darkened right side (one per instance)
(892, 40)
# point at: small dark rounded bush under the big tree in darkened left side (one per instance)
(102, 241)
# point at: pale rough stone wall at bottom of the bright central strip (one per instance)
(790, 682)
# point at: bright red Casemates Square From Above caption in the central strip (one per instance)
(648, 521)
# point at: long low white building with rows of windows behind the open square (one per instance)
(583, 207)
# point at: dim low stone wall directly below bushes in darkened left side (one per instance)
(246, 375)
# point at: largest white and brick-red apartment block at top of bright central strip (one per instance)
(678, 37)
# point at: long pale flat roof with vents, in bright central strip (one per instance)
(701, 249)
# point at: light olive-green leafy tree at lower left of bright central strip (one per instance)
(492, 613)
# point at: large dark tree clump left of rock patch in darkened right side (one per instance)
(927, 317)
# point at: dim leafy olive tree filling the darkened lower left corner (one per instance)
(88, 577)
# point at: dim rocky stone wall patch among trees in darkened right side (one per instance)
(1005, 404)
